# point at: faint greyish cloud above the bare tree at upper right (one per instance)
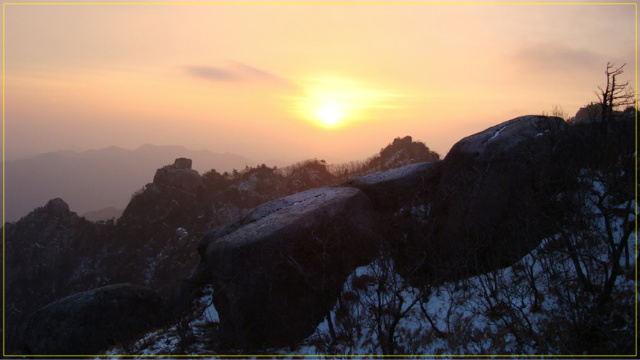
(556, 56)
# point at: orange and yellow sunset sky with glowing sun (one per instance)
(292, 82)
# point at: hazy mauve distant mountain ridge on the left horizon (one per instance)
(96, 179)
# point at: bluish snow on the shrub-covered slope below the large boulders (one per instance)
(504, 312)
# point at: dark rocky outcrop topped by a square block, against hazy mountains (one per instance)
(162, 225)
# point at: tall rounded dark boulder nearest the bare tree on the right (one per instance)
(492, 201)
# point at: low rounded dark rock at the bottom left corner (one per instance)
(89, 322)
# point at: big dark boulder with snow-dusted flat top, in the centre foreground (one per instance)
(278, 270)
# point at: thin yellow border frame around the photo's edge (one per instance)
(306, 3)
